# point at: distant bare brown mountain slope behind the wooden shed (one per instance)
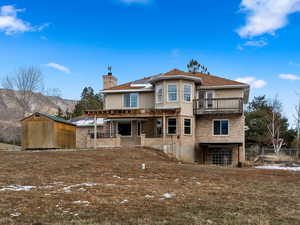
(11, 111)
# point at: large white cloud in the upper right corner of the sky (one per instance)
(266, 16)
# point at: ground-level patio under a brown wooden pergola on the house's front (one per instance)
(135, 127)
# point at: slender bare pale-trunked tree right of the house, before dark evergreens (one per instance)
(274, 124)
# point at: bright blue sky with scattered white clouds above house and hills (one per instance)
(255, 41)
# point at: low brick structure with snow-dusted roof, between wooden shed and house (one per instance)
(85, 129)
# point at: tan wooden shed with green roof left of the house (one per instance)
(42, 131)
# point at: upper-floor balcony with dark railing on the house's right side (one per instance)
(218, 106)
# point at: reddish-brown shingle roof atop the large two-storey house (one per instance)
(207, 80)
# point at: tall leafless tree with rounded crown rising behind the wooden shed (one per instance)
(22, 85)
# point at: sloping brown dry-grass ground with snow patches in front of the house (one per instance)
(108, 187)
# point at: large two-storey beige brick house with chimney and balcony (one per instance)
(194, 117)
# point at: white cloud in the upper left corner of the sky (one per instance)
(10, 24)
